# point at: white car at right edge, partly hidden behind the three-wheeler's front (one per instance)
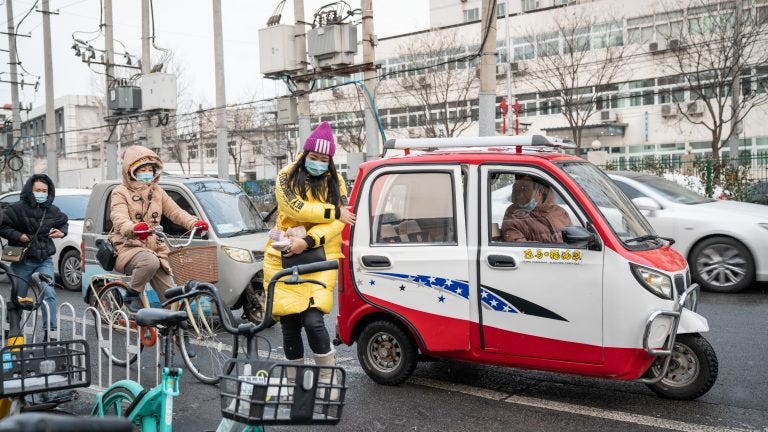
(725, 242)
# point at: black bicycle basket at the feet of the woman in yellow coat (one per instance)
(266, 393)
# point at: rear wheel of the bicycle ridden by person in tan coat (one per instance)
(109, 302)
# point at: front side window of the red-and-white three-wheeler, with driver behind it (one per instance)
(527, 208)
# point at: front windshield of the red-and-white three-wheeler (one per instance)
(625, 220)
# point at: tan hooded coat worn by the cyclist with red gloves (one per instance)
(133, 202)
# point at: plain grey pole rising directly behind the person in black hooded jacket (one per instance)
(51, 137)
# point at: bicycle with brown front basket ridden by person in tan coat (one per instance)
(204, 316)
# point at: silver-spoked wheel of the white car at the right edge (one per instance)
(722, 264)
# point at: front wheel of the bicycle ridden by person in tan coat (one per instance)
(212, 344)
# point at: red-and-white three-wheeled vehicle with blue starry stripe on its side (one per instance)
(591, 290)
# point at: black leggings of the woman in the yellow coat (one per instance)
(317, 335)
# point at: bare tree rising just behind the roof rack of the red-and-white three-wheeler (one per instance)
(433, 86)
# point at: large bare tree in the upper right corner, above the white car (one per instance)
(714, 54)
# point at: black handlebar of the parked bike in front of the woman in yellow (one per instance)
(249, 328)
